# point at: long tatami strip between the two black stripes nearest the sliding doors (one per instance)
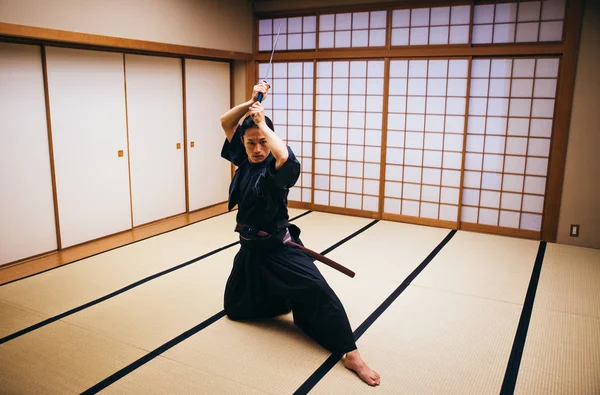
(67, 287)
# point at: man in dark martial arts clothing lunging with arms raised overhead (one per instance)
(269, 278)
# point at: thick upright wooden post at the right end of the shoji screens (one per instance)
(562, 119)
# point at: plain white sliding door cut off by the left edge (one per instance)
(27, 224)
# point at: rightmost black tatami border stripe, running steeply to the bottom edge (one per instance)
(514, 362)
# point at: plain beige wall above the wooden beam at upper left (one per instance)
(217, 24)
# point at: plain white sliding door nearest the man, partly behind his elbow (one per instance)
(207, 92)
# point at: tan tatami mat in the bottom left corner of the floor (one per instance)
(60, 359)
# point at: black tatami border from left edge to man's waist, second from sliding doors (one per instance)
(120, 291)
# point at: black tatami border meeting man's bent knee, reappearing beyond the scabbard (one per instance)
(172, 343)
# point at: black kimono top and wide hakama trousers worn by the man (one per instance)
(269, 278)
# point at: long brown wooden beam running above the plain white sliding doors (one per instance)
(41, 35)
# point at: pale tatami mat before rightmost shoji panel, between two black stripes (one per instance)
(482, 265)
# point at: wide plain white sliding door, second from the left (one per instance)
(87, 107)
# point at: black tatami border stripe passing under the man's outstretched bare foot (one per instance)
(334, 358)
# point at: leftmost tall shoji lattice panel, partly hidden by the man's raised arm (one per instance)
(290, 107)
